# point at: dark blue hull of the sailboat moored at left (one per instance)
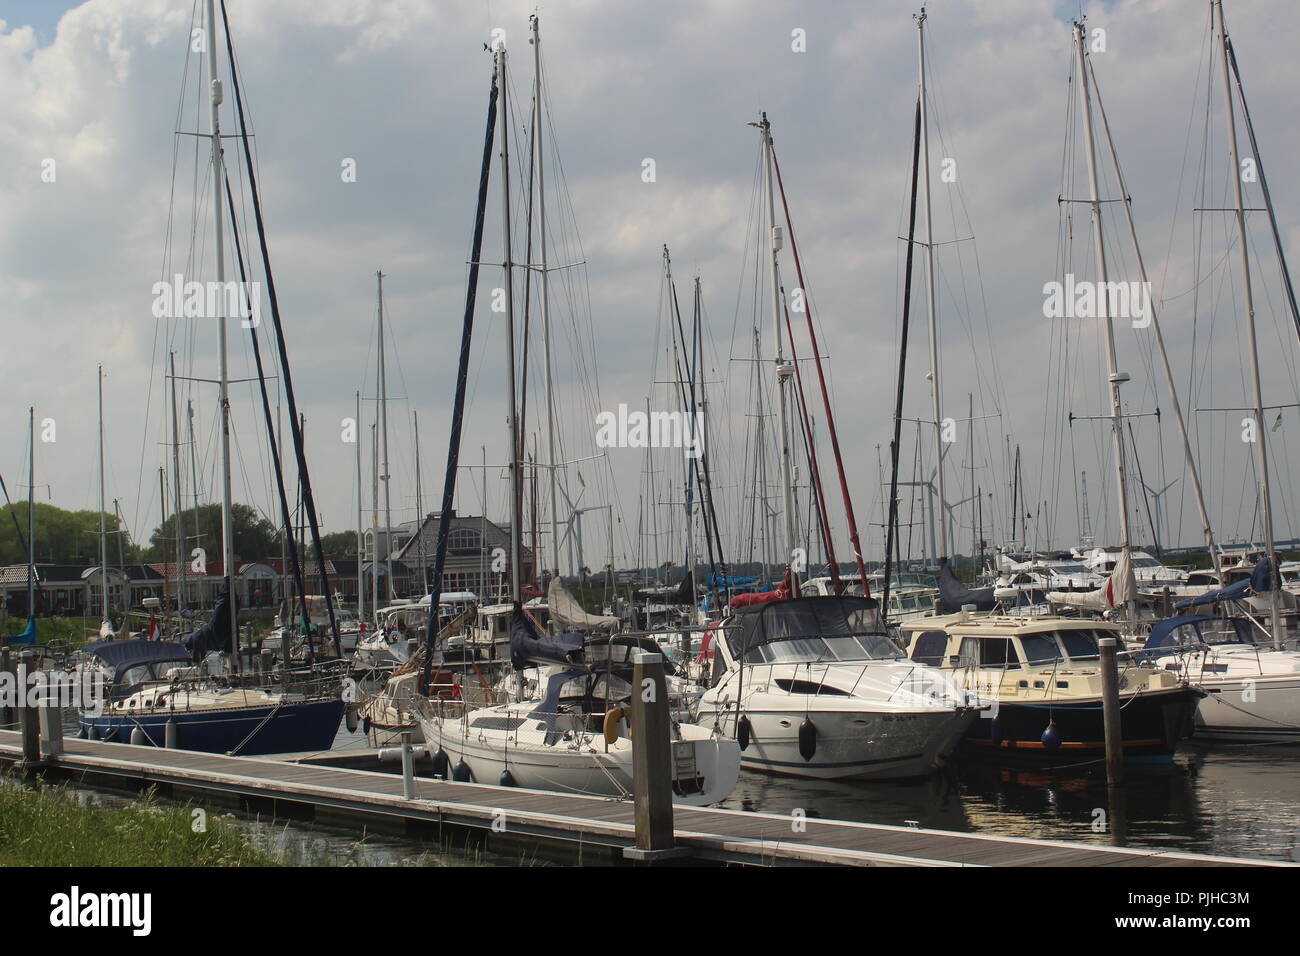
(289, 729)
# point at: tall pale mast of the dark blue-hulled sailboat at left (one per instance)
(219, 178)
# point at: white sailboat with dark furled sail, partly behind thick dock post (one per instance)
(574, 736)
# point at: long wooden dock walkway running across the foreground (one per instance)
(554, 827)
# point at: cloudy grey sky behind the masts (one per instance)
(107, 92)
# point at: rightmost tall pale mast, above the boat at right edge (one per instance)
(1260, 451)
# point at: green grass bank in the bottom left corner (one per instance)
(49, 827)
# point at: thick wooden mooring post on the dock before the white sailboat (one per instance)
(652, 762)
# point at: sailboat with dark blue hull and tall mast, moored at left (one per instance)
(210, 706)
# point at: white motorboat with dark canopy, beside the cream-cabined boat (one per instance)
(814, 687)
